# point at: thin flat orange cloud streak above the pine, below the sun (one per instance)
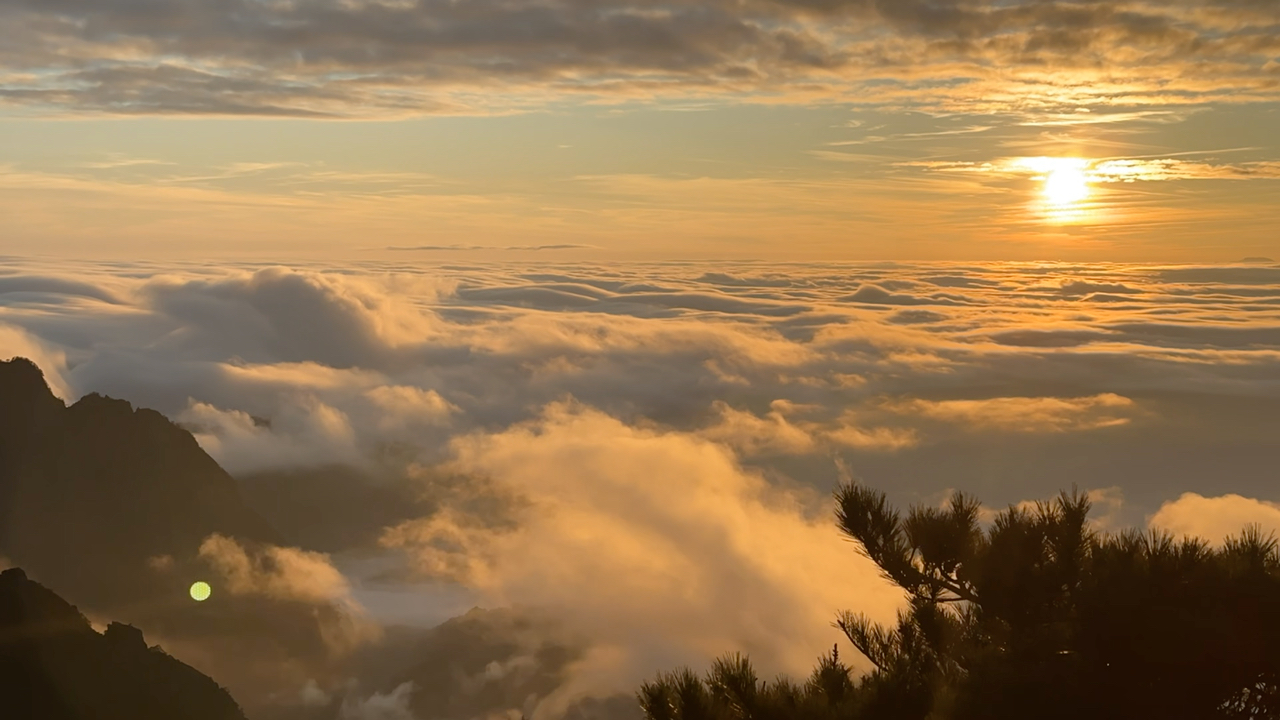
(1026, 414)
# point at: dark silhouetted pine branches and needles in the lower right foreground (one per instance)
(1035, 616)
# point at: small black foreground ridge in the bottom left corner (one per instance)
(56, 667)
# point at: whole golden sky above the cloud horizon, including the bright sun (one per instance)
(602, 130)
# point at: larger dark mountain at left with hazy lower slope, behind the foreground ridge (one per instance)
(111, 505)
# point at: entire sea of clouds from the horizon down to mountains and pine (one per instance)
(644, 454)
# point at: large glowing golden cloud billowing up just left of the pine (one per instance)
(696, 549)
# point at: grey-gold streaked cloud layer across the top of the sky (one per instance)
(341, 58)
